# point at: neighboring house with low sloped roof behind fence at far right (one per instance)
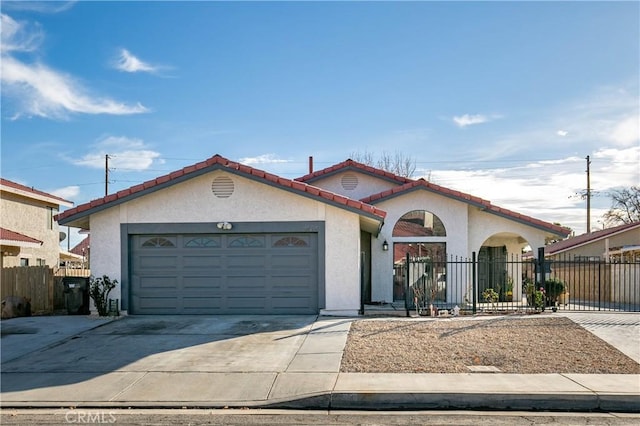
(620, 242)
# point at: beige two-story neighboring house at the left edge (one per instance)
(29, 234)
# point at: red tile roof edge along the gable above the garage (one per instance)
(208, 165)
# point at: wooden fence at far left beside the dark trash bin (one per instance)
(41, 284)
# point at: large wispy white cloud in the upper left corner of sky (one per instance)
(37, 90)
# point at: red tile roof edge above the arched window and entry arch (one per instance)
(485, 205)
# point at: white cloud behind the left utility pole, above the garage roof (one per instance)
(125, 154)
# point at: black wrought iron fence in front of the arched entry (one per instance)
(514, 283)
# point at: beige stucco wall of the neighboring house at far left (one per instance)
(31, 218)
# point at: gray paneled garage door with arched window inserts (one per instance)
(224, 274)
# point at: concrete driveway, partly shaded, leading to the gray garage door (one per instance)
(159, 360)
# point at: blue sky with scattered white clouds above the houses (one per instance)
(503, 100)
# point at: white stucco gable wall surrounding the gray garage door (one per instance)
(193, 201)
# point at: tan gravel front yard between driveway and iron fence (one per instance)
(532, 344)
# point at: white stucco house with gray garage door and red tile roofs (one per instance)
(222, 237)
